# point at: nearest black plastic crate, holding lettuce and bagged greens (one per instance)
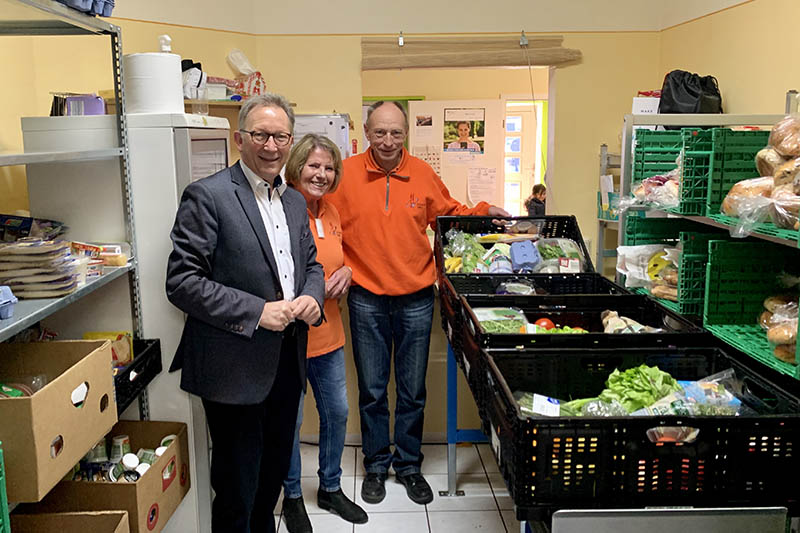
(579, 462)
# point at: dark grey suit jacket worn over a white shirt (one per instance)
(220, 273)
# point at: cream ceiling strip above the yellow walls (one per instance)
(421, 16)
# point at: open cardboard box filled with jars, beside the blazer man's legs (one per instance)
(151, 500)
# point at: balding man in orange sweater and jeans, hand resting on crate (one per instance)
(386, 200)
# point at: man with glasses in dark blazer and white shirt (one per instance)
(243, 268)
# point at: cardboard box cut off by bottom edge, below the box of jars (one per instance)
(94, 522)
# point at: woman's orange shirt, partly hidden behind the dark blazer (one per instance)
(327, 233)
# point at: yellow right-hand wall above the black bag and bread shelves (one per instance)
(751, 49)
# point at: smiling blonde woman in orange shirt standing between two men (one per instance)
(314, 169)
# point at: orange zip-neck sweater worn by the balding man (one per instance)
(384, 217)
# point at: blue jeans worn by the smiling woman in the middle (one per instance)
(326, 374)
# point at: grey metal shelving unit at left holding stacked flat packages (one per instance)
(48, 17)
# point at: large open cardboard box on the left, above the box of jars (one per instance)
(45, 435)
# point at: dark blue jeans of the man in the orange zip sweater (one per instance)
(377, 324)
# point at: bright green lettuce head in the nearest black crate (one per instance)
(638, 387)
